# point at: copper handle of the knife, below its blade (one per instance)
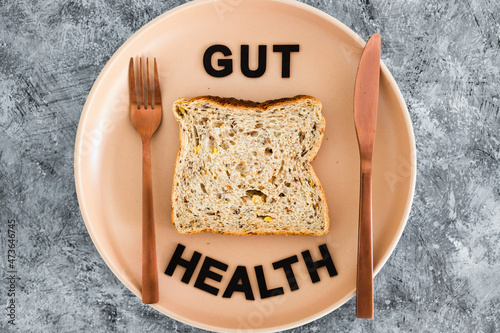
(364, 280)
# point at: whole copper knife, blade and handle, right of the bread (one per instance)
(366, 92)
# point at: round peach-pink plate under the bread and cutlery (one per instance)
(108, 164)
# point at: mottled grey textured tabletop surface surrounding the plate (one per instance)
(443, 275)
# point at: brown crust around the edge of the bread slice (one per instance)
(264, 106)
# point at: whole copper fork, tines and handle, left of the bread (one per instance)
(145, 113)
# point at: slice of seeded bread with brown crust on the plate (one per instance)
(243, 168)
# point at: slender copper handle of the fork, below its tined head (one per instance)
(150, 293)
